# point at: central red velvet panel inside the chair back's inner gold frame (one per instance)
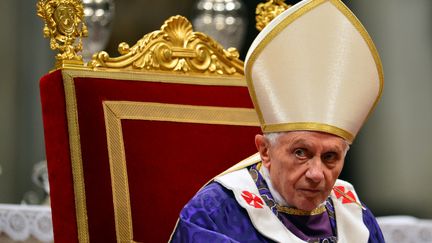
(166, 171)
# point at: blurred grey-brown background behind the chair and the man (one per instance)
(390, 163)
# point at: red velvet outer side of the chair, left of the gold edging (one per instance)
(58, 157)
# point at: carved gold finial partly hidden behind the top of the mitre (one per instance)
(266, 12)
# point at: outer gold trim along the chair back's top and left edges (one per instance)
(69, 73)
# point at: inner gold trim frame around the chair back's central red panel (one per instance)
(115, 111)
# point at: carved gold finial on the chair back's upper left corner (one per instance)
(64, 24)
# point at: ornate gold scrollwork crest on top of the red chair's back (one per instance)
(175, 47)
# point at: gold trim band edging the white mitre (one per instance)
(287, 21)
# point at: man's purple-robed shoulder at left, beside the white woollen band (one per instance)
(213, 215)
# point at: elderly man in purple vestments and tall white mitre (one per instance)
(314, 76)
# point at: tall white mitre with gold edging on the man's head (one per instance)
(314, 67)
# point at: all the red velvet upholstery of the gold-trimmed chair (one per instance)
(167, 162)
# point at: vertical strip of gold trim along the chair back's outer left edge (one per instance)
(76, 158)
